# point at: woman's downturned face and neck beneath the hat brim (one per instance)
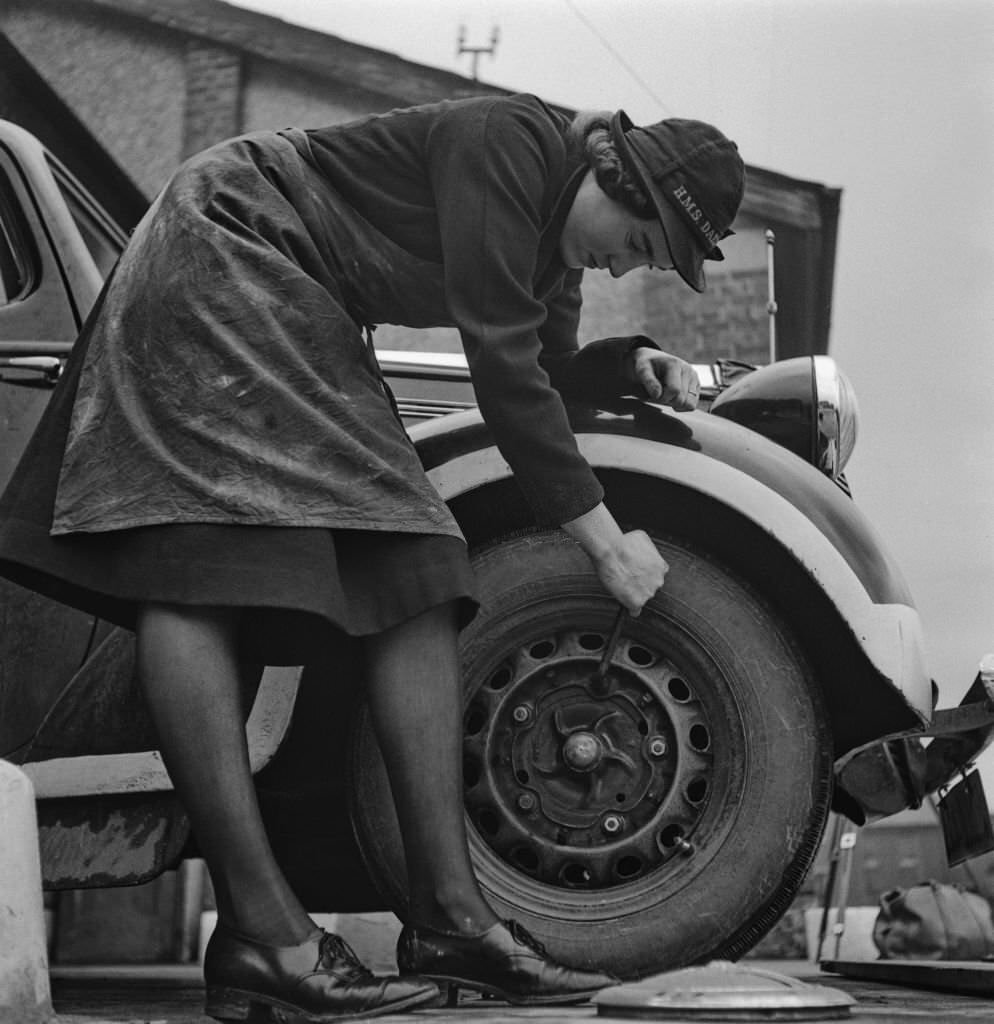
(603, 235)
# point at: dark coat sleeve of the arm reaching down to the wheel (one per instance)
(490, 176)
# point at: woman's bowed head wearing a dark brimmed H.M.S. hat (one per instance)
(665, 196)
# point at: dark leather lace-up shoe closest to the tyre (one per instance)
(505, 962)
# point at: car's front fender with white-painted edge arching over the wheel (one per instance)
(789, 506)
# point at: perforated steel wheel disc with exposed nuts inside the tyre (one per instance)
(580, 784)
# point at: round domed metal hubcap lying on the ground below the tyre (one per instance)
(724, 992)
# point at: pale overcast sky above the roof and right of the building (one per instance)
(892, 101)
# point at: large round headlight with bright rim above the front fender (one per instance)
(807, 405)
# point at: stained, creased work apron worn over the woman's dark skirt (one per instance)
(227, 379)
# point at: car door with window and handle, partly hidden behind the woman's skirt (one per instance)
(49, 280)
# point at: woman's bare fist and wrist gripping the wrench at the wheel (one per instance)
(628, 565)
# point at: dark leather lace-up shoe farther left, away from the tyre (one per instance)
(320, 980)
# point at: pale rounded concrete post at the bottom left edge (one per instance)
(25, 992)
